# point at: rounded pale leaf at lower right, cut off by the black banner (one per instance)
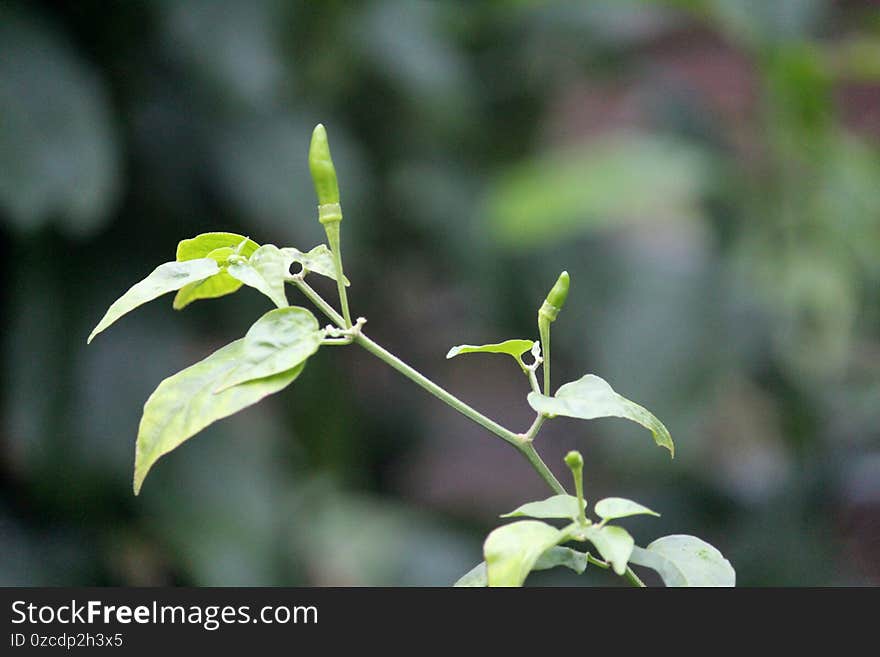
(686, 561)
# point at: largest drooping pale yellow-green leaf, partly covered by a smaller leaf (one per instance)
(185, 403)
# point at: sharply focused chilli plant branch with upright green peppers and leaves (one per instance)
(276, 348)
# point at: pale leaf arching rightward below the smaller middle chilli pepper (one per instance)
(591, 397)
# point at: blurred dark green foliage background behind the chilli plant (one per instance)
(708, 171)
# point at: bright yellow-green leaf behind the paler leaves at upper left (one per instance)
(212, 245)
